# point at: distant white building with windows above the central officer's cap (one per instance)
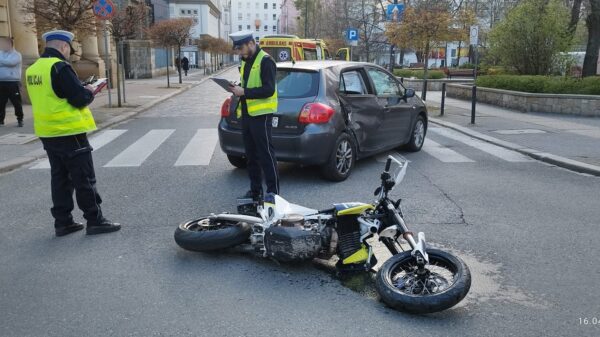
(260, 16)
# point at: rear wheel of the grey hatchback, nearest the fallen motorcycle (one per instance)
(342, 159)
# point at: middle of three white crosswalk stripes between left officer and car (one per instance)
(139, 151)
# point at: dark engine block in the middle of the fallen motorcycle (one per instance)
(293, 239)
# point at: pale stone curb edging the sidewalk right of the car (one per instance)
(546, 157)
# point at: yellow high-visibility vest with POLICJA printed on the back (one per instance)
(53, 116)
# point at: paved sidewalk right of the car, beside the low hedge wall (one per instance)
(566, 141)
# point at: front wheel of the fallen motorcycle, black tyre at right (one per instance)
(442, 283)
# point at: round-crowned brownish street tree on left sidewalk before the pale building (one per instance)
(171, 33)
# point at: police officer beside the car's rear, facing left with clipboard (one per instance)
(258, 101)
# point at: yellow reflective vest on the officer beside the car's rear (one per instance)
(262, 106)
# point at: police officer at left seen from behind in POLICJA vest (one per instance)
(61, 119)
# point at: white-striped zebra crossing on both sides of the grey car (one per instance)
(200, 148)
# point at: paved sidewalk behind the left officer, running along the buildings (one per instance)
(19, 146)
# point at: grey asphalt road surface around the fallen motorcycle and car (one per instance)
(527, 230)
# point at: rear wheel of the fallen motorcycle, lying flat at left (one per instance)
(204, 235)
